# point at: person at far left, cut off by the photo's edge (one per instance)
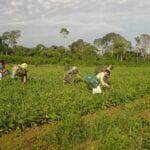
(3, 70)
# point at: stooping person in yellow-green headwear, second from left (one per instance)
(20, 71)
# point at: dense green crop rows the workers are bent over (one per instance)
(44, 98)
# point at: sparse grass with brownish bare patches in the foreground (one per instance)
(122, 127)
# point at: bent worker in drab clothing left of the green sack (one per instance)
(72, 76)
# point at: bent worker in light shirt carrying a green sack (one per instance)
(95, 82)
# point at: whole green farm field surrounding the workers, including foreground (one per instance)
(117, 117)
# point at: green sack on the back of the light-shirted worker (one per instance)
(91, 81)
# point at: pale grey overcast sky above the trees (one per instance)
(41, 20)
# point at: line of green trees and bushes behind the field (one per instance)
(111, 48)
